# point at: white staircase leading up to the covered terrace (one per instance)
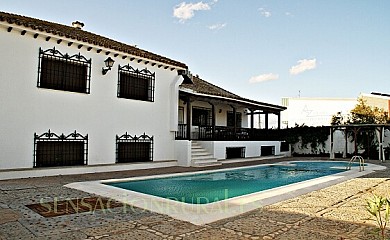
(200, 157)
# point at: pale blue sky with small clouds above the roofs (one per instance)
(259, 49)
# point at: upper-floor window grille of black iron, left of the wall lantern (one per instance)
(64, 72)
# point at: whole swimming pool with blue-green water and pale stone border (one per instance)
(226, 202)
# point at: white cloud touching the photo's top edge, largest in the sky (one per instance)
(185, 11)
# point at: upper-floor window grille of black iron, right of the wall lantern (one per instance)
(136, 84)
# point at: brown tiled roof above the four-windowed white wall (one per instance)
(84, 36)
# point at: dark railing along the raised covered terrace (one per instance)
(223, 133)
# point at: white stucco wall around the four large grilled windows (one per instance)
(26, 109)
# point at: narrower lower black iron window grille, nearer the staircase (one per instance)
(134, 149)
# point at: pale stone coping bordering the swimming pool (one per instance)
(200, 214)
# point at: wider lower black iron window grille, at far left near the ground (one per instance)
(52, 150)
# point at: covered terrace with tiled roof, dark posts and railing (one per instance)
(216, 121)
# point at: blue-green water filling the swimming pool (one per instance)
(202, 188)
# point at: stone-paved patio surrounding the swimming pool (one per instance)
(336, 212)
